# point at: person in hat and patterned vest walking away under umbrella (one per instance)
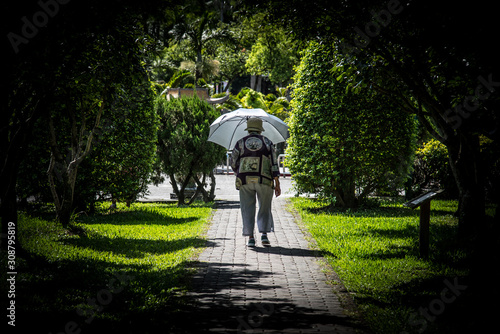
(257, 174)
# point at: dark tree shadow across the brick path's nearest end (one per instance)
(216, 307)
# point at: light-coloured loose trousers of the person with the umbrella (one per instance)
(248, 195)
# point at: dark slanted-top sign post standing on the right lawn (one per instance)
(424, 202)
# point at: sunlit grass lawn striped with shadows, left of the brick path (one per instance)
(121, 271)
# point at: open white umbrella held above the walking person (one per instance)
(229, 128)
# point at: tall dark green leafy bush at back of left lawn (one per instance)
(121, 164)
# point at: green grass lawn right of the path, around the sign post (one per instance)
(375, 253)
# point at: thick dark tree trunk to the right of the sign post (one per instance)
(466, 165)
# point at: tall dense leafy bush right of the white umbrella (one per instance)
(343, 145)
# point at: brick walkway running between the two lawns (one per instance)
(280, 289)
